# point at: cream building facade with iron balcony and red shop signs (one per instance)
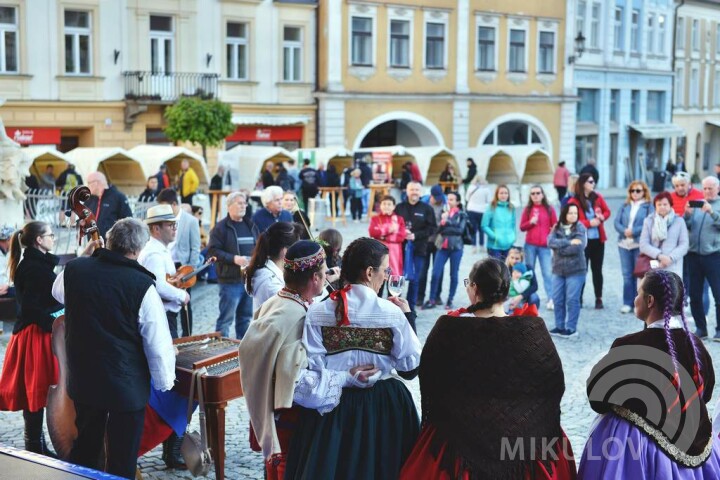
(94, 73)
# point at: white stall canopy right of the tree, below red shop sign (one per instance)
(245, 163)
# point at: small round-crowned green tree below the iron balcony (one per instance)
(201, 122)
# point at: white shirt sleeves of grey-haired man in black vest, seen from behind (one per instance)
(153, 327)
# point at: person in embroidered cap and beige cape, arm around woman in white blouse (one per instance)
(273, 360)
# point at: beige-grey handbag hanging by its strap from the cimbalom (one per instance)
(194, 448)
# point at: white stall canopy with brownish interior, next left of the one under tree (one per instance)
(120, 167)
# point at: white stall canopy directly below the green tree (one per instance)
(152, 156)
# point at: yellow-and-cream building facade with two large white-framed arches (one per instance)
(471, 75)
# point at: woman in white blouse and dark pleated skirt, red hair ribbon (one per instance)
(372, 430)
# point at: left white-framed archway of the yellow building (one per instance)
(399, 128)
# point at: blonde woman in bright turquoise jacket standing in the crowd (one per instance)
(499, 224)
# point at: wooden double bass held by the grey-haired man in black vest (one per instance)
(60, 407)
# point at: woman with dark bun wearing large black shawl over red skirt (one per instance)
(491, 387)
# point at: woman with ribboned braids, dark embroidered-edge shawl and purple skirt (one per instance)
(651, 390)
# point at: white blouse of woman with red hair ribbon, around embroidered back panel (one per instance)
(365, 310)
